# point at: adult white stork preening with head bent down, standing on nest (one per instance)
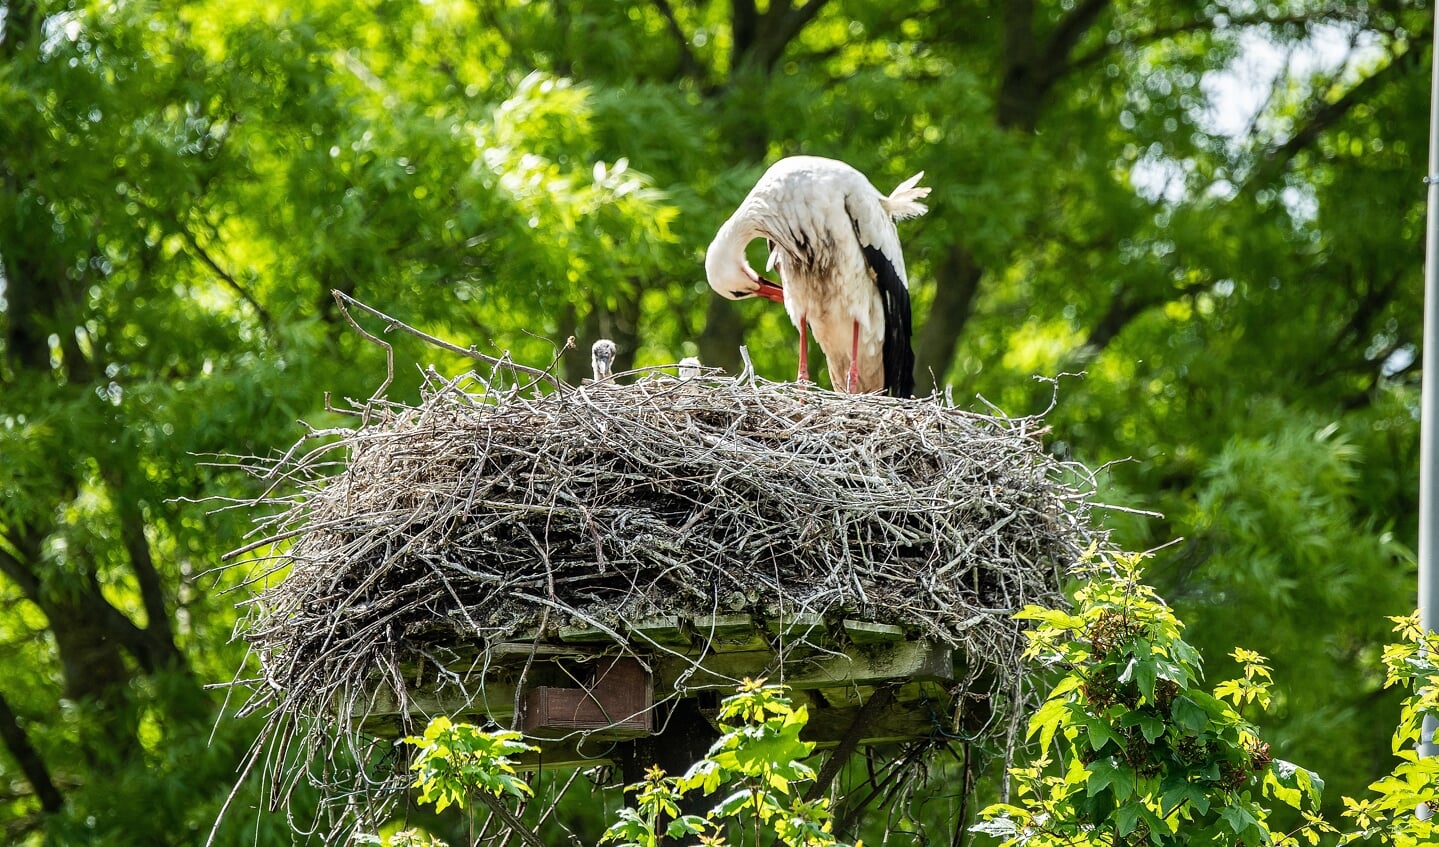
(834, 241)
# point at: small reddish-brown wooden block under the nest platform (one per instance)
(617, 704)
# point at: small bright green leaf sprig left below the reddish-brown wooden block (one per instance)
(457, 760)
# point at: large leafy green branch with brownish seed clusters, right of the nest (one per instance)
(1140, 753)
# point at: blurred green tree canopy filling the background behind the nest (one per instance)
(1234, 262)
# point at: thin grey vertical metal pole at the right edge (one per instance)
(1430, 400)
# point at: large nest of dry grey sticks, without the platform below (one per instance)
(480, 517)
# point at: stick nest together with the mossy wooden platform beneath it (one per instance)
(576, 563)
